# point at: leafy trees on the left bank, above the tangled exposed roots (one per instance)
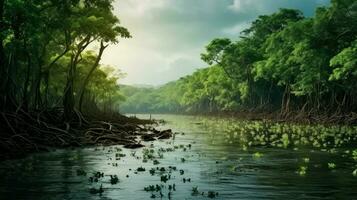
(50, 53)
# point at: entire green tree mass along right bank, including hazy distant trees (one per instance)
(284, 62)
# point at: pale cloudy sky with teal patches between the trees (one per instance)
(169, 35)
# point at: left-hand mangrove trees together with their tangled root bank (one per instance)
(53, 89)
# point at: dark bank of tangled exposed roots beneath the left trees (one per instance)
(28, 132)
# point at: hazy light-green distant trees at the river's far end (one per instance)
(208, 89)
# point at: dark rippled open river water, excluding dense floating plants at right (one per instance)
(212, 161)
